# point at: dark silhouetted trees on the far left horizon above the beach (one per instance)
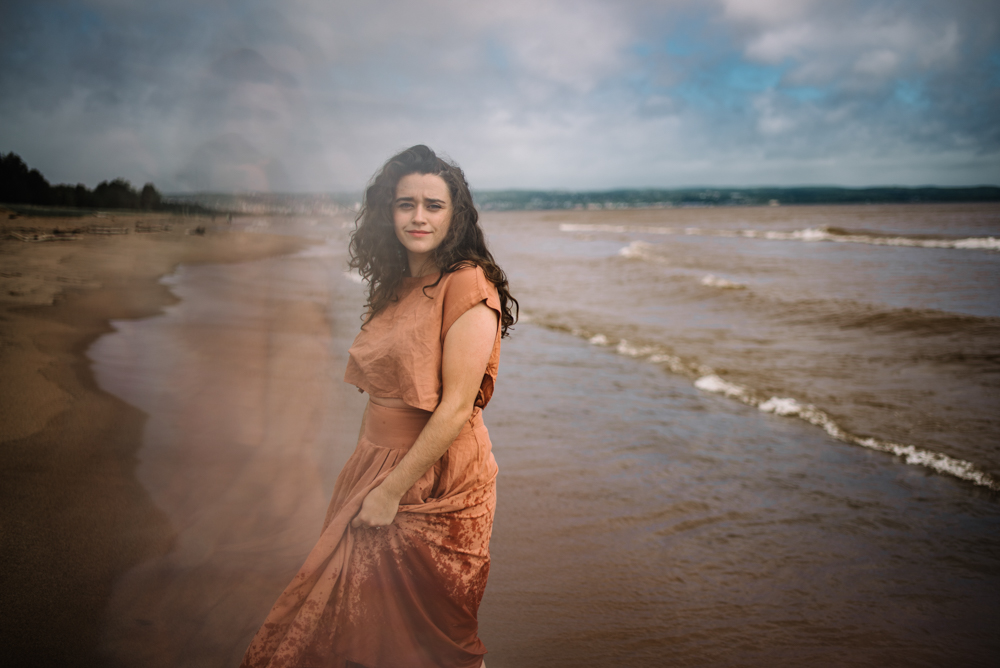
(20, 185)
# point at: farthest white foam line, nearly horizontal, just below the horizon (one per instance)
(806, 235)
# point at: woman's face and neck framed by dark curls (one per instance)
(421, 214)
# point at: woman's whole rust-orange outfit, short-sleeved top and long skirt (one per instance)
(405, 595)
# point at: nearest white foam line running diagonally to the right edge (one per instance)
(708, 381)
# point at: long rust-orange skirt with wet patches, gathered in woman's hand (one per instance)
(401, 596)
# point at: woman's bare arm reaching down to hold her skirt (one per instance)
(466, 353)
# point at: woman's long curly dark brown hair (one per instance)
(378, 255)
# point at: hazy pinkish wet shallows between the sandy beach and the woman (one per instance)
(248, 422)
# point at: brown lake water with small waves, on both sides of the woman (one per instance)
(727, 437)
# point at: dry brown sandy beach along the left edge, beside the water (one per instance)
(74, 517)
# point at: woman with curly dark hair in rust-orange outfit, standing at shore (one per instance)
(400, 568)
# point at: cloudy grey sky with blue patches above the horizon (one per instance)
(312, 95)
